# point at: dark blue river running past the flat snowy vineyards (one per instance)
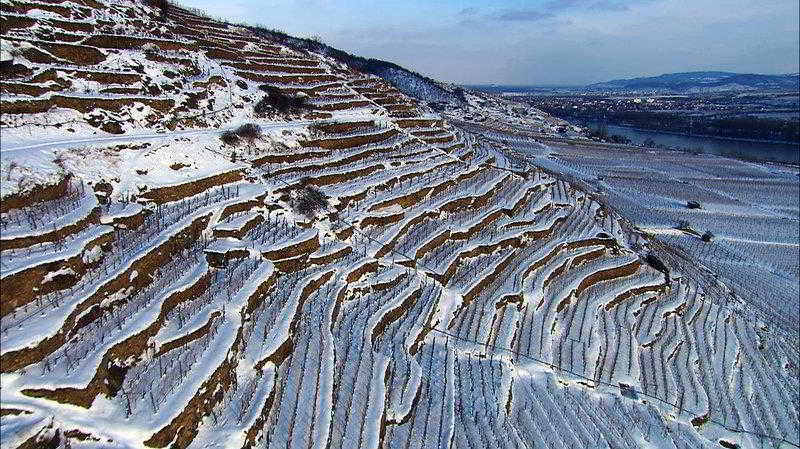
(743, 149)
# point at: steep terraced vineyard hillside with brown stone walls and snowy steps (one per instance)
(351, 272)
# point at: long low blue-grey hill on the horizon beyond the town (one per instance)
(703, 81)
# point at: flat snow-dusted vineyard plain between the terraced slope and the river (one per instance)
(750, 213)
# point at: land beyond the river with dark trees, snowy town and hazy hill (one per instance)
(719, 104)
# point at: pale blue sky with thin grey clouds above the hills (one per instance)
(542, 41)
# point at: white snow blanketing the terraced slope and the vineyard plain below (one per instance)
(534, 354)
